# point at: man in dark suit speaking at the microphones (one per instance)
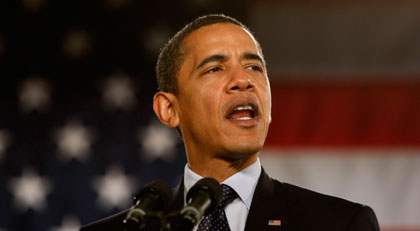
(214, 89)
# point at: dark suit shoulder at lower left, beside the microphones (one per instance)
(114, 222)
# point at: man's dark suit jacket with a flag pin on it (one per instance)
(296, 208)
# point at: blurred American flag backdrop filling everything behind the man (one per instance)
(78, 136)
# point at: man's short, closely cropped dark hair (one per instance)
(171, 56)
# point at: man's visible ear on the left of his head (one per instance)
(164, 107)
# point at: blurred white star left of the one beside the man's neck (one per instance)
(73, 141)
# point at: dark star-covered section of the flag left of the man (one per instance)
(77, 132)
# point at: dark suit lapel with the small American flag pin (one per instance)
(267, 204)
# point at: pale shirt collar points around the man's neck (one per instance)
(243, 182)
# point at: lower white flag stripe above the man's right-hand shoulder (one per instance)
(386, 180)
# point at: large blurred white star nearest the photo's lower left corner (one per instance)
(30, 191)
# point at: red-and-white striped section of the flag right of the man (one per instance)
(345, 78)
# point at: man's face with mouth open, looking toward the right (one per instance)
(224, 99)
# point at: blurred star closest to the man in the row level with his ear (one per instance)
(119, 92)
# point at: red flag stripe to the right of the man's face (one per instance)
(345, 114)
